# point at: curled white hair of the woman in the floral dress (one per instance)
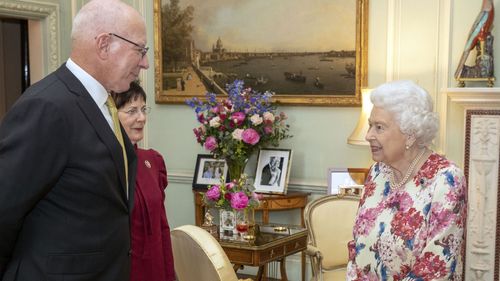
(411, 107)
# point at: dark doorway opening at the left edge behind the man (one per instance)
(14, 61)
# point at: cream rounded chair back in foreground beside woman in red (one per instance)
(198, 256)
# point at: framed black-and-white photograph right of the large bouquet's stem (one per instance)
(273, 168)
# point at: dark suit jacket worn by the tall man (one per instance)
(64, 214)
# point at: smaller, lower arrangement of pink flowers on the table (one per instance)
(233, 195)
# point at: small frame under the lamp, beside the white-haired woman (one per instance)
(346, 180)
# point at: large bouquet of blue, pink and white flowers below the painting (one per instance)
(233, 127)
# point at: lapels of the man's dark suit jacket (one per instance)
(97, 120)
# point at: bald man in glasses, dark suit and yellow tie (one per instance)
(67, 169)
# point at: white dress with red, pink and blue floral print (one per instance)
(412, 233)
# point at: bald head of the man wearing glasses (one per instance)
(108, 42)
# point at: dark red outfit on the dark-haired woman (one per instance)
(152, 258)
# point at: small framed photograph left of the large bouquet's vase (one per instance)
(208, 171)
